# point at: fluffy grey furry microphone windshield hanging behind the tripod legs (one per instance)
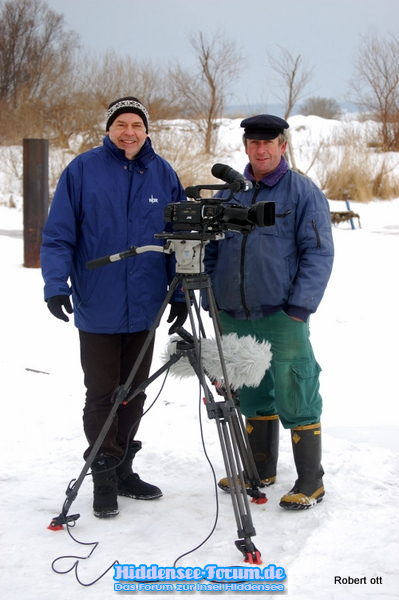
(246, 359)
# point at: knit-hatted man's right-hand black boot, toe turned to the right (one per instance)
(129, 483)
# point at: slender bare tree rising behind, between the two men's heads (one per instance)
(202, 94)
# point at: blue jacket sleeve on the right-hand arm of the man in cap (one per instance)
(316, 254)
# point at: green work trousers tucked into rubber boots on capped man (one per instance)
(290, 387)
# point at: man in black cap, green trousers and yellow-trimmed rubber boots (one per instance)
(267, 284)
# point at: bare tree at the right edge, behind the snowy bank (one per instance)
(375, 85)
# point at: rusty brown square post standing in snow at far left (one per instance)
(35, 198)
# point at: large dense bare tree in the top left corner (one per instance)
(36, 54)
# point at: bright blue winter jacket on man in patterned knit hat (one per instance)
(103, 205)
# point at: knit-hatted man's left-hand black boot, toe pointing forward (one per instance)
(105, 484)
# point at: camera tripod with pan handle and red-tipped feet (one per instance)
(240, 467)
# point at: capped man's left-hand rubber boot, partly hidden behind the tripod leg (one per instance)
(263, 436)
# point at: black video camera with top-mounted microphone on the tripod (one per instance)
(216, 215)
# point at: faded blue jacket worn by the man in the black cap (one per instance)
(283, 267)
